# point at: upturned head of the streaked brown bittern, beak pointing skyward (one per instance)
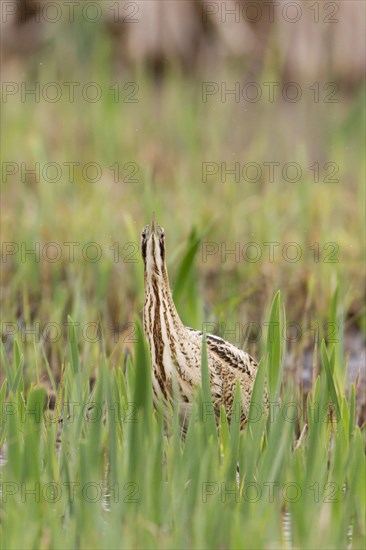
(153, 248)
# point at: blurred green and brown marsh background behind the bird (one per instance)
(241, 124)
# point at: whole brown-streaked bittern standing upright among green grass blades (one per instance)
(176, 349)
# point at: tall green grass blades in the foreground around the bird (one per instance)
(124, 477)
